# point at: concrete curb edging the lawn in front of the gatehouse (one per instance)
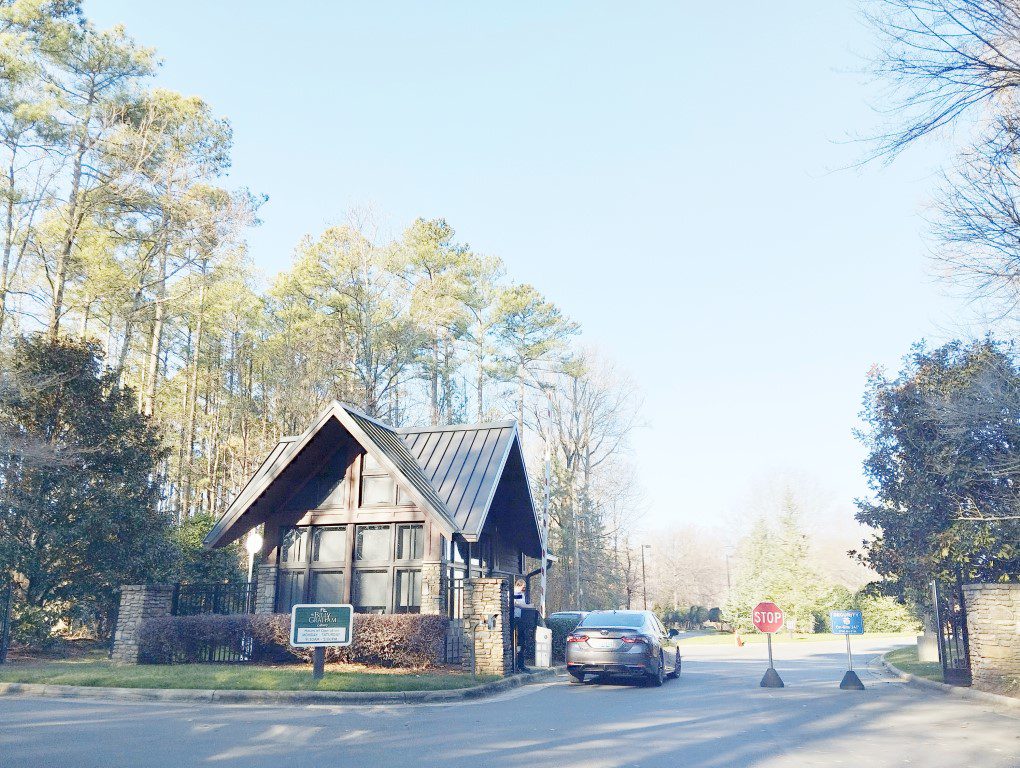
(277, 697)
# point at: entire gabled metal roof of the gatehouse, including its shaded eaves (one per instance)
(458, 475)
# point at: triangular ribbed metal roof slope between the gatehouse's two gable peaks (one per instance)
(465, 465)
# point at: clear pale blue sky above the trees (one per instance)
(668, 173)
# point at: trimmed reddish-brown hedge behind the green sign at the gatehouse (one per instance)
(415, 641)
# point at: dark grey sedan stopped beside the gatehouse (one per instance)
(623, 643)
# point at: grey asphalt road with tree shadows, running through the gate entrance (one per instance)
(716, 715)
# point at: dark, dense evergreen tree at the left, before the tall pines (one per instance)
(79, 488)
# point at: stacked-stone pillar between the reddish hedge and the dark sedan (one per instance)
(483, 599)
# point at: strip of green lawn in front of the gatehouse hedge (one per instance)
(231, 677)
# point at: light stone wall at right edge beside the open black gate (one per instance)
(994, 629)
